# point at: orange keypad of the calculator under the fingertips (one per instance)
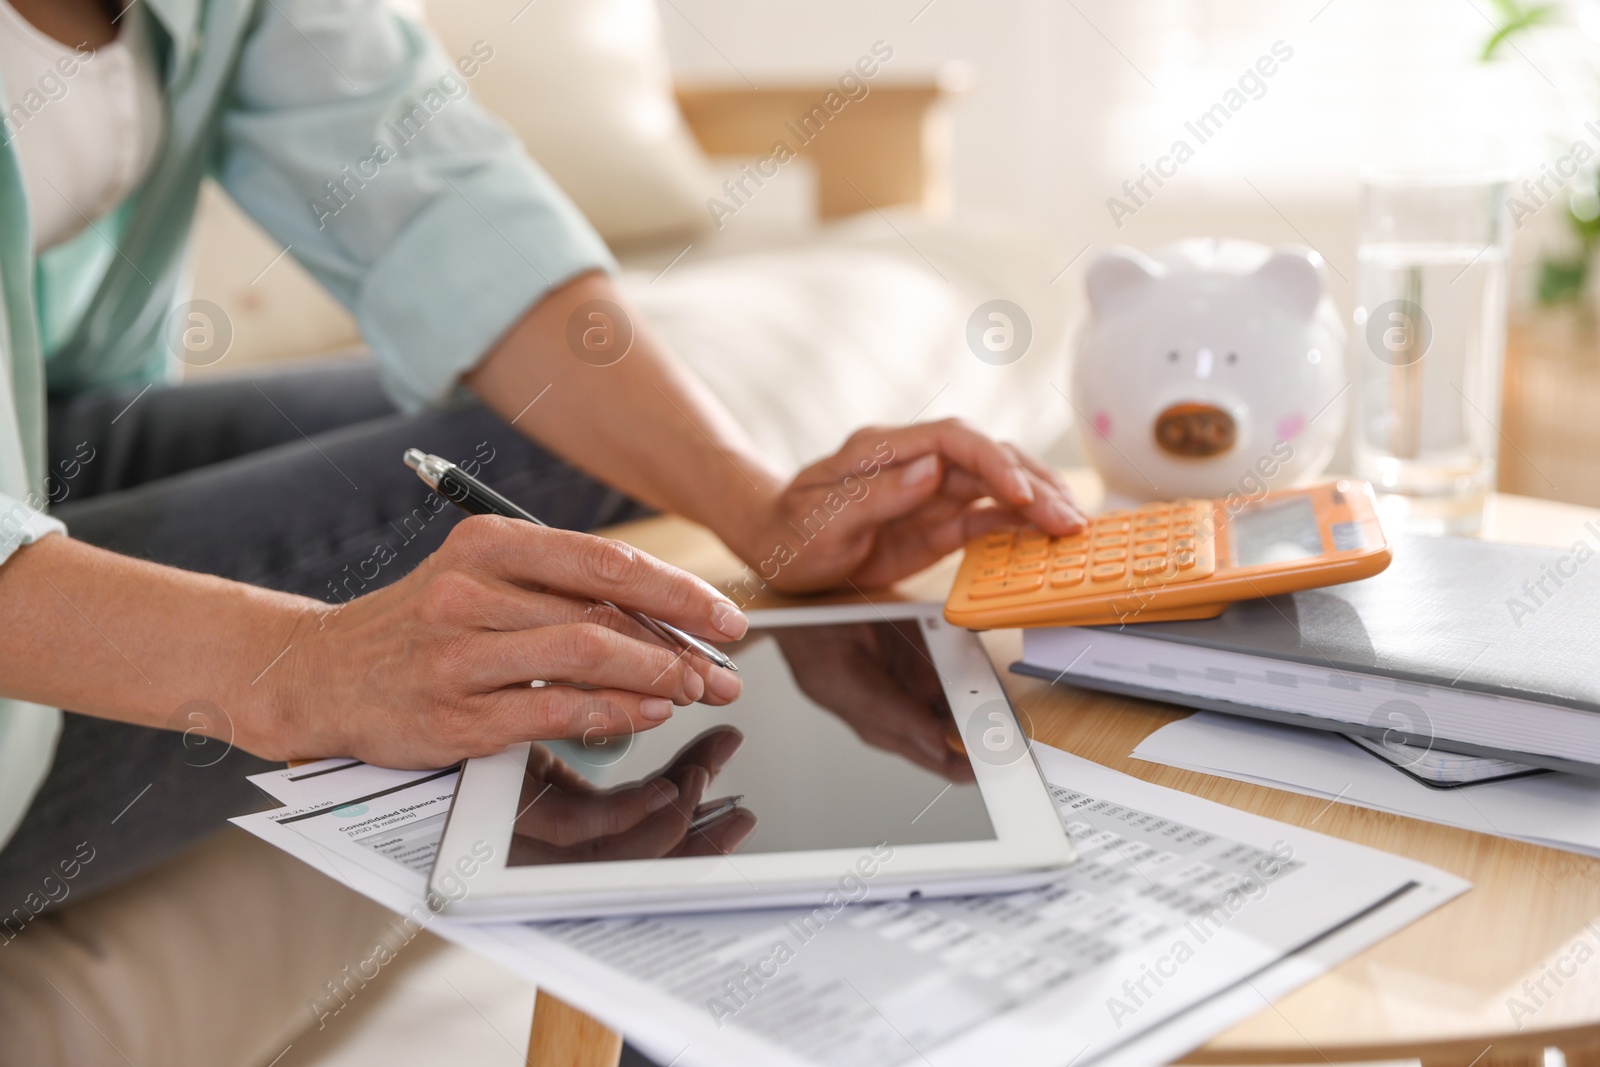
(1142, 549)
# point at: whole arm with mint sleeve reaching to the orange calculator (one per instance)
(442, 246)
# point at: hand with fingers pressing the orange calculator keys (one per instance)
(894, 502)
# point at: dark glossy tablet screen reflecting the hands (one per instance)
(844, 738)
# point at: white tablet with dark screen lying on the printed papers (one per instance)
(873, 756)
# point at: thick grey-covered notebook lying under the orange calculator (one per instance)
(1462, 645)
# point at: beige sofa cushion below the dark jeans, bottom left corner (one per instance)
(217, 959)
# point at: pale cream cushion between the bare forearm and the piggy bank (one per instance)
(866, 324)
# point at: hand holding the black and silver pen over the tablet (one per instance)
(438, 668)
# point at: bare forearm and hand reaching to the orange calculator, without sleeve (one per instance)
(887, 505)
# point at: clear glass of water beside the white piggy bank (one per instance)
(1431, 345)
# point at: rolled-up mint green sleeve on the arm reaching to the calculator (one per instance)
(353, 140)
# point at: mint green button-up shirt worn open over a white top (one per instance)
(343, 130)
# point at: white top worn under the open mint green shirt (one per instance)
(86, 124)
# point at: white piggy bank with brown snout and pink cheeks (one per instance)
(1209, 369)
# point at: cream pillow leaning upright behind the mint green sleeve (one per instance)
(588, 89)
